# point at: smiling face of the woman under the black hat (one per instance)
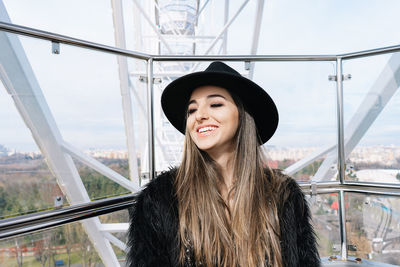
(213, 119)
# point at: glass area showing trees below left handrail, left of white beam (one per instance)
(67, 245)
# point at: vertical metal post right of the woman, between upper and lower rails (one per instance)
(341, 156)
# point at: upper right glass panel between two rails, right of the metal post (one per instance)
(372, 112)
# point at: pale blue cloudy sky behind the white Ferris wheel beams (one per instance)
(82, 87)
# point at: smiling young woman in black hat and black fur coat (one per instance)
(222, 206)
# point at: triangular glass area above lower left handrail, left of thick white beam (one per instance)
(26, 183)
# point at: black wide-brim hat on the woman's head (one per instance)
(256, 101)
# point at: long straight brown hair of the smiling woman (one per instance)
(250, 233)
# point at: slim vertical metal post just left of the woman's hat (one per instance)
(150, 117)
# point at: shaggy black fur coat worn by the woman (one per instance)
(153, 239)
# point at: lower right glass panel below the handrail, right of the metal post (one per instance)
(373, 227)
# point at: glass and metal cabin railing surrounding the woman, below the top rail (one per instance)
(75, 129)
